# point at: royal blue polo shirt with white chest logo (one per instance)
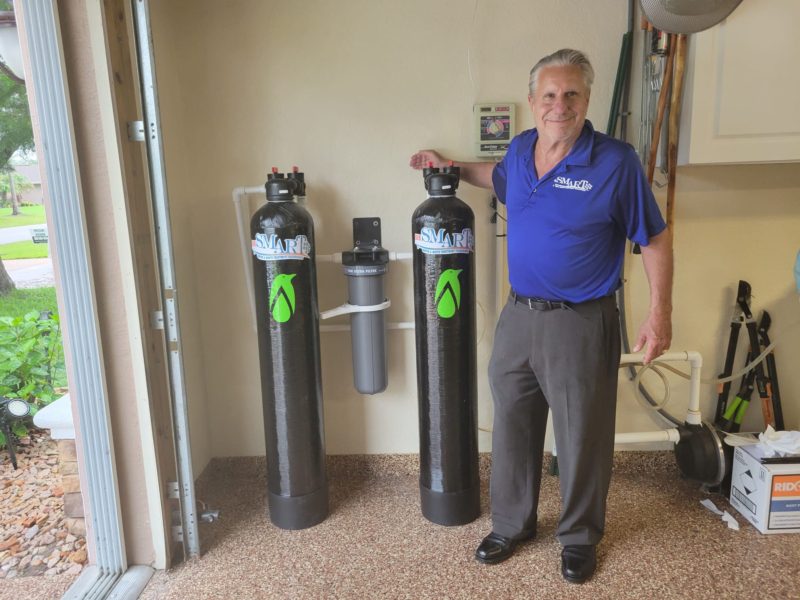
(567, 230)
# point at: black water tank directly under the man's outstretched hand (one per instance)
(444, 302)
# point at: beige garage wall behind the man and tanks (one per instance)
(348, 90)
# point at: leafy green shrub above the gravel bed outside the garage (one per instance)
(31, 353)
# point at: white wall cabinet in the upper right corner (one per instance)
(742, 94)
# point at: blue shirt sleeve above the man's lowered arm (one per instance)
(635, 209)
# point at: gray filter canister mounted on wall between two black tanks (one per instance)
(365, 267)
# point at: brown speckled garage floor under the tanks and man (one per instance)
(660, 543)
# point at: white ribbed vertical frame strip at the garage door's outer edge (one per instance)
(109, 574)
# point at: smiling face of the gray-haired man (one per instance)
(560, 103)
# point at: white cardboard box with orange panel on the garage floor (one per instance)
(767, 495)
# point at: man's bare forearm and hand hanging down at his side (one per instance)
(656, 332)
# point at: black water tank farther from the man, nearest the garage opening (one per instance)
(285, 284)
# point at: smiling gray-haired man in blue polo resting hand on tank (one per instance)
(572, 196)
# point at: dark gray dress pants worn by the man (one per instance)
(564, 360)
